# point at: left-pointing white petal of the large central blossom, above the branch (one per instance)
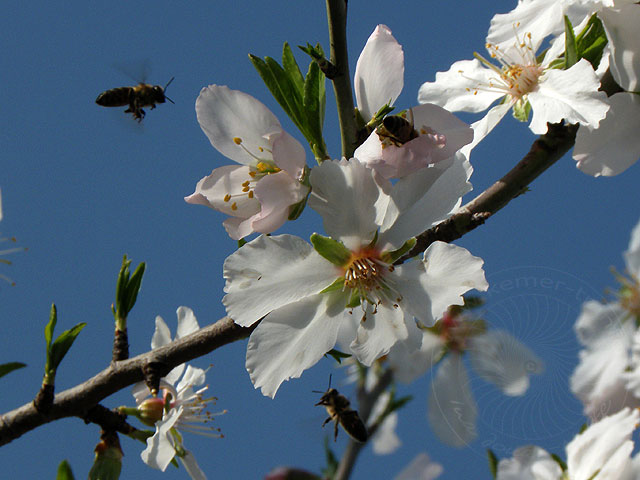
(270, 272)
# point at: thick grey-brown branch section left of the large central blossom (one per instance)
(81, 400)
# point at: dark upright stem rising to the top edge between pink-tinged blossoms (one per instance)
(337, 18)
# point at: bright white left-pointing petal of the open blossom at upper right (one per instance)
(457, 88)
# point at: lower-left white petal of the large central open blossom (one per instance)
(291, 339)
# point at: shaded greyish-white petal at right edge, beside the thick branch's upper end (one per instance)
(614, 146)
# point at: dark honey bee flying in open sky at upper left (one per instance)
(142, 95)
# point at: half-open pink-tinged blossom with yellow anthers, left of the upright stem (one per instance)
(258, 193)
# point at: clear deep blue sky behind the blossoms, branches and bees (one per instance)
(82, 185)
